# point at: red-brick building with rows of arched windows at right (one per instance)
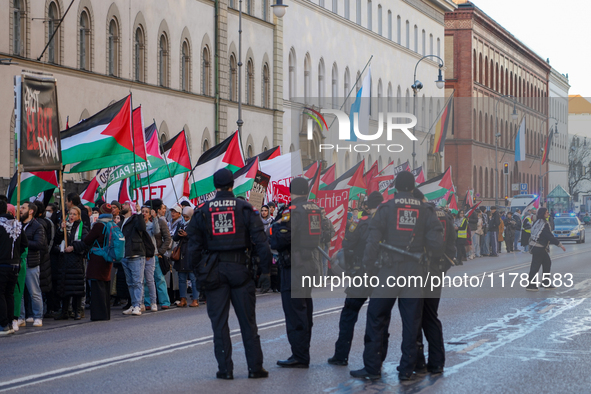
(484, 63)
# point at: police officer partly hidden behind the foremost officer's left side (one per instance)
(354, 246)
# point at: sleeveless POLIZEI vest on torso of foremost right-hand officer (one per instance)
(406, 216)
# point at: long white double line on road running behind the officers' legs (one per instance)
(95, 365)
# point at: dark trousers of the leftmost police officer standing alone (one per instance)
(236, 287)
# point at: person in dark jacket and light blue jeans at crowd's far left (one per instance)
(37, 246)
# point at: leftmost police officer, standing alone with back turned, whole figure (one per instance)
(220, 232)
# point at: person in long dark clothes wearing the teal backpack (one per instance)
(98, 271)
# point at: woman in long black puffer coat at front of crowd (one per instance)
(70, 282)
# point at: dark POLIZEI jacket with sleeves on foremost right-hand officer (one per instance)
(404, 222)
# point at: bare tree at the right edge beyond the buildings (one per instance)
(579, 166)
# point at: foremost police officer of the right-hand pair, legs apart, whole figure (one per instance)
(405, 223)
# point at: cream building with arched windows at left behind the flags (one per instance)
(180, 63)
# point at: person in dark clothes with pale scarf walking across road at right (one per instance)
(541, 238)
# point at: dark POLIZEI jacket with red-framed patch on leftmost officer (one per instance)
(226, 224)
